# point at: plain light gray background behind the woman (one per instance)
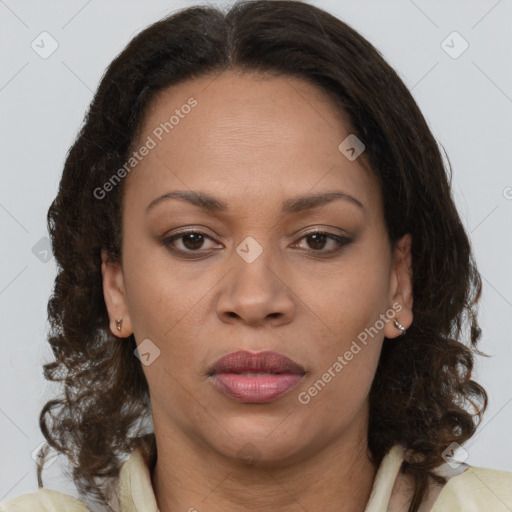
(467, 102)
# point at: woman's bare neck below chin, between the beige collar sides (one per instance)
(188, 477)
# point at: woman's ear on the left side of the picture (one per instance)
(114, 295)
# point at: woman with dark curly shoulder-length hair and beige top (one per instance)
(261, 259)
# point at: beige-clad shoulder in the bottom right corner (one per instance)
(476, 489)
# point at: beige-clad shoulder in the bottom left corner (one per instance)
(44, 500)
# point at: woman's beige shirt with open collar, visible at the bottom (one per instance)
(469, 489)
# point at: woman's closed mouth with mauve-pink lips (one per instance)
(255, 378)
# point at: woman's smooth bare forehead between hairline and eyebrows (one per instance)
(248, 134)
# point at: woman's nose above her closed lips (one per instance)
(256, 292)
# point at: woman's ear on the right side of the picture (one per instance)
(401, 299)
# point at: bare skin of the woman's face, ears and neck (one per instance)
(253, 142)
